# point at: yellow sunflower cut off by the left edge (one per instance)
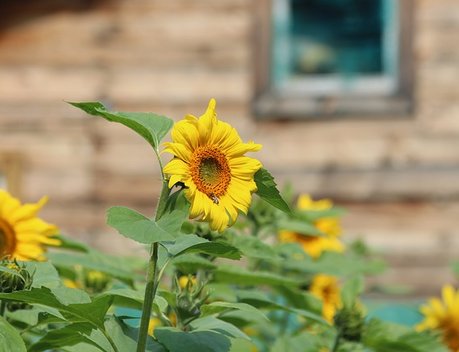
(22, 234)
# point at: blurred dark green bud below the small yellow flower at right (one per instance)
(349, 321)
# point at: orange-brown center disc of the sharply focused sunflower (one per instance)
(210, 172)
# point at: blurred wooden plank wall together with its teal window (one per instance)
(356, 100)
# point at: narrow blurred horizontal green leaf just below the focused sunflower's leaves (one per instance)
(241, 276)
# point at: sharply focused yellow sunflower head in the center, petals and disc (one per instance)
(209, 160)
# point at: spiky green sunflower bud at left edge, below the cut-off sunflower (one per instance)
(13, 277)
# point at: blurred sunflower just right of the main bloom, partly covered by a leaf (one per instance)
(329, 226)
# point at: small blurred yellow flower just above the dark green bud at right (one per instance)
(326, 288)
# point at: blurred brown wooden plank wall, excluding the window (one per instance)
(398, 177)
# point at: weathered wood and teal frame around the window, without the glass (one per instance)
(317, 96)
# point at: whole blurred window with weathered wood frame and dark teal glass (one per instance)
(332, 57)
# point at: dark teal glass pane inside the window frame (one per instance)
(336, 36)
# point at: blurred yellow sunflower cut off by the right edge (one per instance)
(443, 316)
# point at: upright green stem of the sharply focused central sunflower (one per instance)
(152, 276)
